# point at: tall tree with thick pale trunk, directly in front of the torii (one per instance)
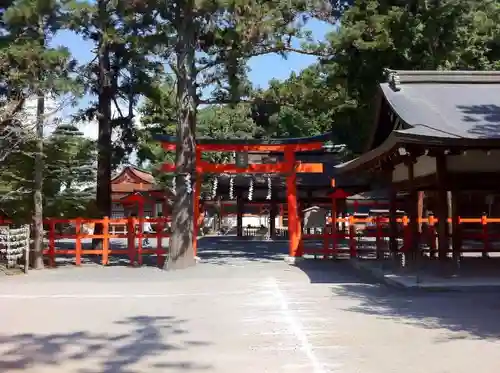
(207, 43)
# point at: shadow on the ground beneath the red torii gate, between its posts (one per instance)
(224, 249)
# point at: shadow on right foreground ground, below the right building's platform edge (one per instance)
(464, 315)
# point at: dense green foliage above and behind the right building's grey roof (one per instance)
(338, 93)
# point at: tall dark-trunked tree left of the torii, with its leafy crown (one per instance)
(120, 72)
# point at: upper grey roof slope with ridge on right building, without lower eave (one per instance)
(452, 104)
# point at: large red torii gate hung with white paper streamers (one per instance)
(289, 167)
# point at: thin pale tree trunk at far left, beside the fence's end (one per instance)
(38, 187)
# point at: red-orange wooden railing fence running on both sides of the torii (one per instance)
(330, 240)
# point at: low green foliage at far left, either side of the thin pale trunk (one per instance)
(69, 174)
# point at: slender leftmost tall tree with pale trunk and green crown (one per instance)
(31, 24)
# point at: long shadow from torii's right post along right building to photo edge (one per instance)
(461, 315)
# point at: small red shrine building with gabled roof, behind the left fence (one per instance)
(135, 192)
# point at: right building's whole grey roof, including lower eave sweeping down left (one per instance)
(439, 108)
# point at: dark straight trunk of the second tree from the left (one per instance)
(103, 190)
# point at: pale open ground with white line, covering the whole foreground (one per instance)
(241, 310)
